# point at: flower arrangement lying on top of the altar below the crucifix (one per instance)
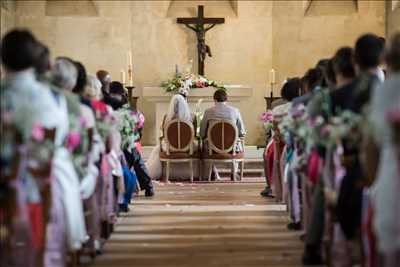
(189, 81)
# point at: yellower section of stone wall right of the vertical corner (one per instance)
(300, 40)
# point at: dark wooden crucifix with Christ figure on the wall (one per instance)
(197, 25)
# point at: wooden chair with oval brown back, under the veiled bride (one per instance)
(179, 138)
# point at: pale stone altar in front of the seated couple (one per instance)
(237, 94)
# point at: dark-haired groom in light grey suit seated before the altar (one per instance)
(222, 111)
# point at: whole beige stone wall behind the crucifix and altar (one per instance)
(256, 36)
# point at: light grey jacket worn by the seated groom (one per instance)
(222, 111)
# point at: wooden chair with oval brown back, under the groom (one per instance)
(222, 137)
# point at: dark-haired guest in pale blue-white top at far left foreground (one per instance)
(21, 96)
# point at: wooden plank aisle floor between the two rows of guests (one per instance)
(220, 224)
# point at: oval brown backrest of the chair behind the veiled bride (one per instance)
(179, 136)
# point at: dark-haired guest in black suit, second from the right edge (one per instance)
(368, 55)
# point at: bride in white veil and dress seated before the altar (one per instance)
(178, 109)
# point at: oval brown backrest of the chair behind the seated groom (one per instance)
(222, 136)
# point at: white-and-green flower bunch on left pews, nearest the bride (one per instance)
(128, 126)
